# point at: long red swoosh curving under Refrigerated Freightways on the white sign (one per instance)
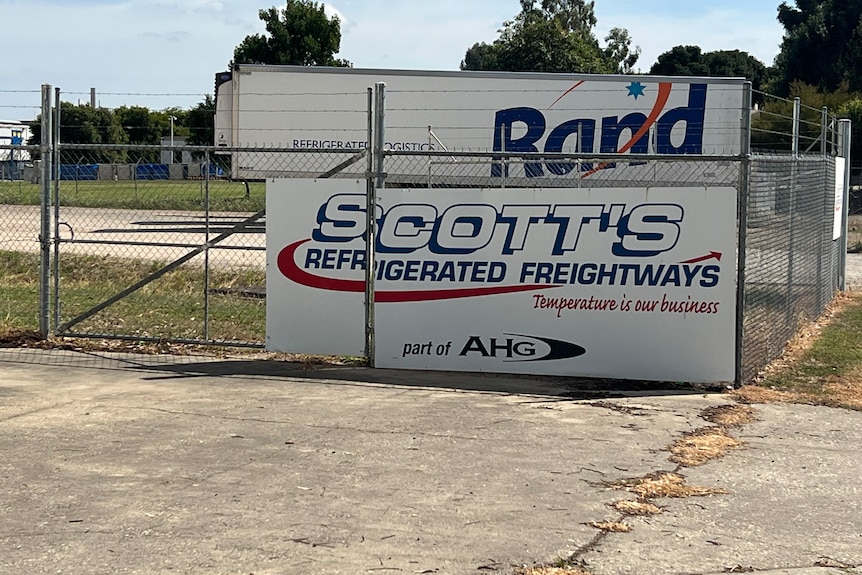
(287, 266)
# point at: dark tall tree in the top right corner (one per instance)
(822, 45)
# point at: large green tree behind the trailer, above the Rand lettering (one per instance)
(553, 36)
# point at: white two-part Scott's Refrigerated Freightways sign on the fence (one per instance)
(622, 283)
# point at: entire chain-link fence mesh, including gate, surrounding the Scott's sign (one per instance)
(157, 243)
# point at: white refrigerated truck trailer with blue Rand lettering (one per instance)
(315, 108)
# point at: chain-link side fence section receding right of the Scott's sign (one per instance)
(791, 259)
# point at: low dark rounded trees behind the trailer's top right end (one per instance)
(692, 61)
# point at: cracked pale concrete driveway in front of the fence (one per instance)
(154, 464)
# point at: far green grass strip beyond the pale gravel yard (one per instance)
(142, 195)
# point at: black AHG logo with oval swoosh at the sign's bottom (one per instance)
(519, 348)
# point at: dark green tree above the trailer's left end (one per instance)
(300, 33)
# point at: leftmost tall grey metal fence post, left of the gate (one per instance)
(45, 214)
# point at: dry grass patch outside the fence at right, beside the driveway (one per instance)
(821, 366)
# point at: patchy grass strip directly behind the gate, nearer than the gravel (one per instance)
(170, 307)
